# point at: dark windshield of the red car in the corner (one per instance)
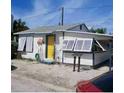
(104, 82)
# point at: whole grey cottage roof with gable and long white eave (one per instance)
(59, 28)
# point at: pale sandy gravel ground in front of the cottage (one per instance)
(59, 75)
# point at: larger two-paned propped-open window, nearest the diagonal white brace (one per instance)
(83, 45)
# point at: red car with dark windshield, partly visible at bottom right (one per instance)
(103, 83)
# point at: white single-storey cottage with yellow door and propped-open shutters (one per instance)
(60, 43)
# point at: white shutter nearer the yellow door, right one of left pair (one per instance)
(29, 44)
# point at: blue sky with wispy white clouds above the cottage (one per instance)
(94, 13)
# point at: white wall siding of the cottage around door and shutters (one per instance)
(86, 59)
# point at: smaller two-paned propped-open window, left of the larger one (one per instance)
(68, 45)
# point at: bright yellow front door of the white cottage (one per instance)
(50, 47)
